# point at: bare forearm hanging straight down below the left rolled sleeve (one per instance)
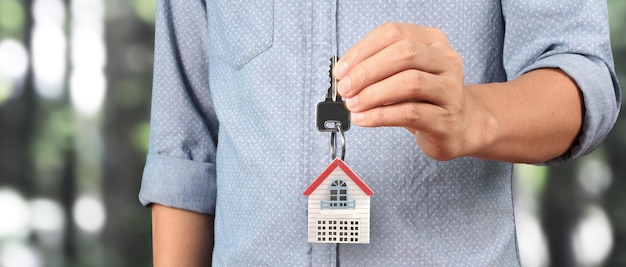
(181, 237)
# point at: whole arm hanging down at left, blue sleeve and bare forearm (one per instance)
(179, 179)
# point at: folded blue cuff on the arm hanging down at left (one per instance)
(179, 183)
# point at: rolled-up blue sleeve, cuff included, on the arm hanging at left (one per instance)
(180, 166)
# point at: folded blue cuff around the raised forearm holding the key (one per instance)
(601, 103)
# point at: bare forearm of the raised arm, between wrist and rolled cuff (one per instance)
(536, 117)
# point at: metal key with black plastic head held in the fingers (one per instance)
(332, 112)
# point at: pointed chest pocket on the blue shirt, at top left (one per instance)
(240, 30)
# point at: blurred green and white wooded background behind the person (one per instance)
(75, 79)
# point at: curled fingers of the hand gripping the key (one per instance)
(396, 63)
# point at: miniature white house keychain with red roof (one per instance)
(339, 206)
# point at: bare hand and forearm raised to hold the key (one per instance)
(409, 76)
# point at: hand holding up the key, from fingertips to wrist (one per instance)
(409, 76)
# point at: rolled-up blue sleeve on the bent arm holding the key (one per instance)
(572, 36)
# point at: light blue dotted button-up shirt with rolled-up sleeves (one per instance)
(233, 129)
